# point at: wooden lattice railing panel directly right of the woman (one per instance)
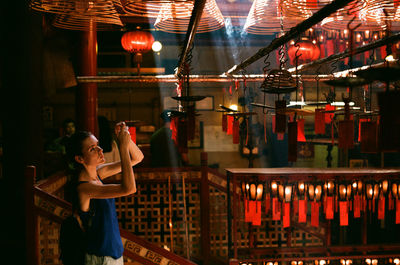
(146, 213)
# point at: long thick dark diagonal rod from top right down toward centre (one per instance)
(291, 34)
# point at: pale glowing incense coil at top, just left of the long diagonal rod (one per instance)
(264, 18)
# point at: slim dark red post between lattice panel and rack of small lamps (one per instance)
(205, 209)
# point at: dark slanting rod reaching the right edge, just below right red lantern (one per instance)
(370, 46)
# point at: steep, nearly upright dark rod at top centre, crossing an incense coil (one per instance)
(191, 32)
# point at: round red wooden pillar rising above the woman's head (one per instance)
(86, 96)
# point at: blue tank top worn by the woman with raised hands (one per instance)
(102, 228)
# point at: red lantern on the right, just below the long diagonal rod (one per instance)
(308, 52)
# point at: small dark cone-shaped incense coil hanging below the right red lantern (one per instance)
(278, 81)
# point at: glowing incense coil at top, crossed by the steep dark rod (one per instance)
(175, 17)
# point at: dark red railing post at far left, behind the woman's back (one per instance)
(31, 222)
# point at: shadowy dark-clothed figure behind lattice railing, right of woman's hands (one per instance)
(164, 152)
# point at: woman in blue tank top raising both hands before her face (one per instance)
(94, 200)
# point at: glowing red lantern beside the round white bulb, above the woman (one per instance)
(137, 41)
